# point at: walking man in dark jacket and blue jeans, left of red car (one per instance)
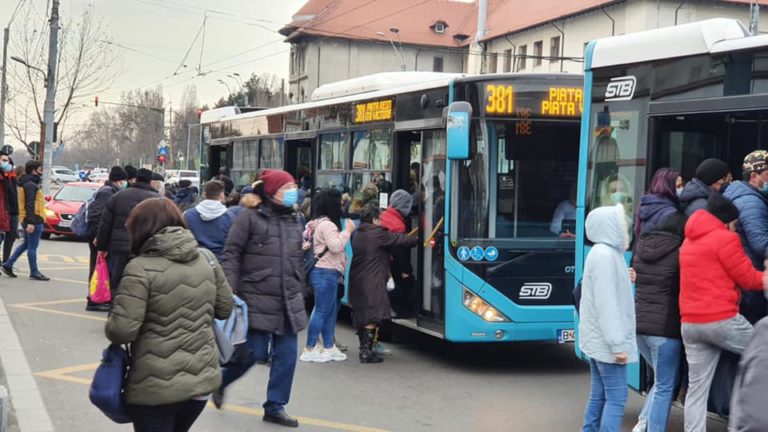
(32, 215)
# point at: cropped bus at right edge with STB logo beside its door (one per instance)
(652, 104)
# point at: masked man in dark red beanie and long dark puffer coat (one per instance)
(263, 262)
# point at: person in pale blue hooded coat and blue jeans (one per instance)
(607, 312)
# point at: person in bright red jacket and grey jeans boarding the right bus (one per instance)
(713, 265)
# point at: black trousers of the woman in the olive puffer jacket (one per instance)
(177, 417)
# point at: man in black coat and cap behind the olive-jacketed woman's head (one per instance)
(112, 235)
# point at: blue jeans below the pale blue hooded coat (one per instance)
(605, 408)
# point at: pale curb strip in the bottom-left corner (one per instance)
(28, 404)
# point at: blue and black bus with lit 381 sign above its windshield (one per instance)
(493, 263)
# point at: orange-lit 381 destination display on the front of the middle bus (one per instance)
(502, 100)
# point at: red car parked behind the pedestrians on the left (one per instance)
(63, 206)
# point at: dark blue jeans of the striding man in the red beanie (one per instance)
(284, 357)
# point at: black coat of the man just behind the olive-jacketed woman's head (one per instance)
(112, 234)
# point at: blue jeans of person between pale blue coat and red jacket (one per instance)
(663, 354)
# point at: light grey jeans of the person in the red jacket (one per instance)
(703, 344)
